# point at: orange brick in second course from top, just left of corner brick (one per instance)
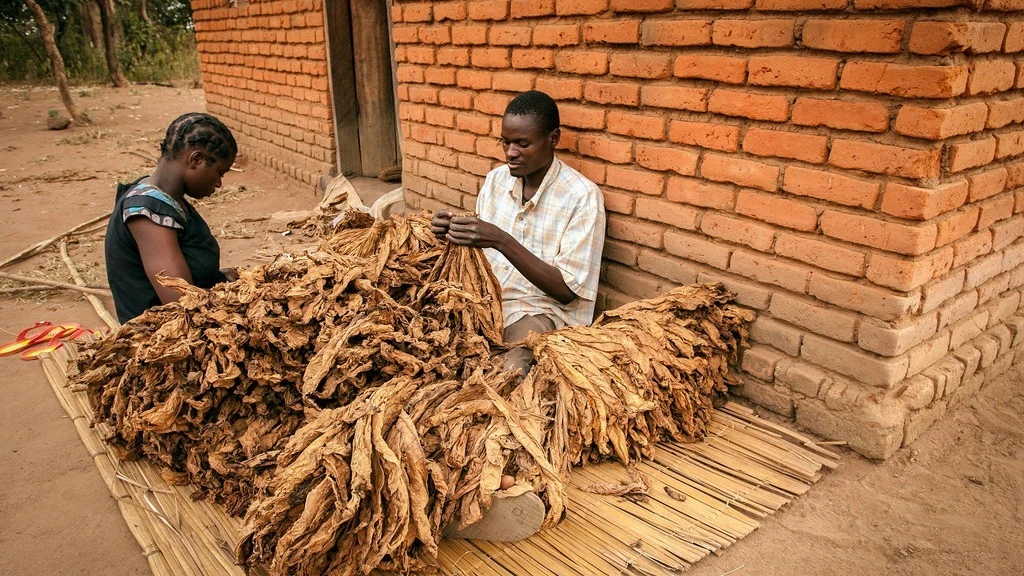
(857, 36)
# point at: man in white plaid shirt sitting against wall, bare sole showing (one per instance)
(542, 227)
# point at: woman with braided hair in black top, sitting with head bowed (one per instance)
(155, 231)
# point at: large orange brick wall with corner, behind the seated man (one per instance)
(851, 169)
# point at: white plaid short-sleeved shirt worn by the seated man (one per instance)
(563, 225)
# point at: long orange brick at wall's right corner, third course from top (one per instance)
(905, 80)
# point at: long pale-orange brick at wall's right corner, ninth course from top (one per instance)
(875, 302)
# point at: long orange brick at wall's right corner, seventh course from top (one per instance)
(878, 234)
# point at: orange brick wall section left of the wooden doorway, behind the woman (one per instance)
(265, 73)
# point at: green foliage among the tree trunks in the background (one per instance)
(161, 52)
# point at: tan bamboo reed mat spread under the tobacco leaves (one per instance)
(703, 499)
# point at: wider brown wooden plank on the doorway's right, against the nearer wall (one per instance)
(374, 92)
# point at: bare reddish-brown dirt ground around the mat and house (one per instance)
(953, 504)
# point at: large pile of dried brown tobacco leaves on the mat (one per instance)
(352, 401)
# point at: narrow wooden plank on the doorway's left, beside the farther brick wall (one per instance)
(342, 75)
